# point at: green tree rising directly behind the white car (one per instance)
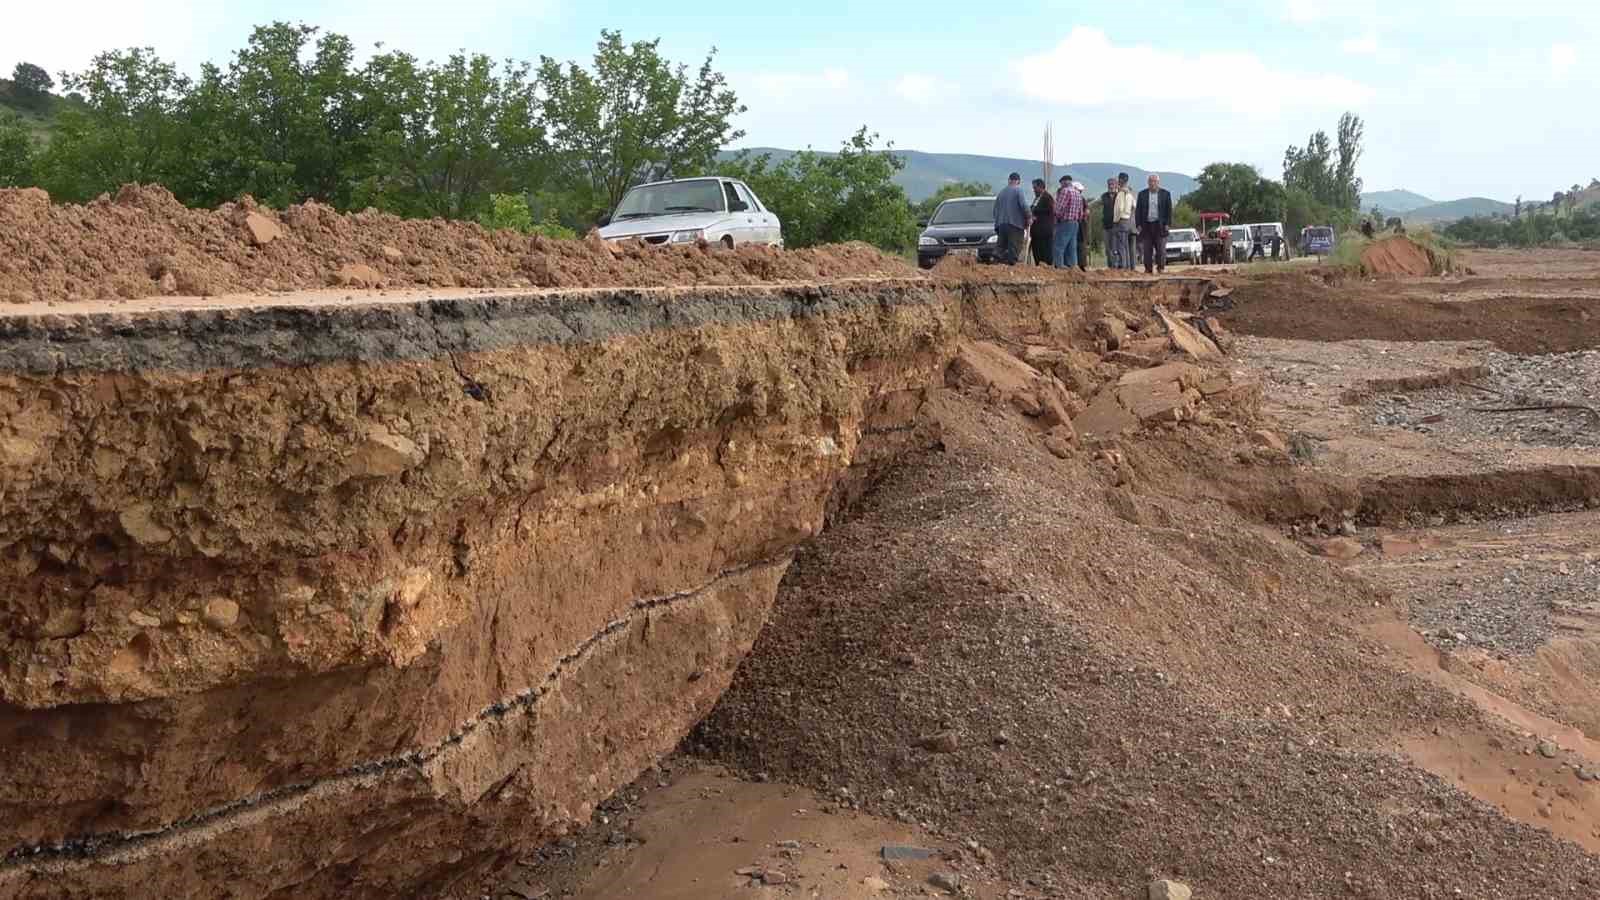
(633, 118)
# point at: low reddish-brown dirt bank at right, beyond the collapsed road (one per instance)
(1305, 307)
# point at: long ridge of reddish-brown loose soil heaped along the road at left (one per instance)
(143, 243)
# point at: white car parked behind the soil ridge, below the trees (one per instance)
(687, 211)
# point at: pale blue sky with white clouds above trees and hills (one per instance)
(1460, 97)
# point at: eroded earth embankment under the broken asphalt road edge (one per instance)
(366, 598)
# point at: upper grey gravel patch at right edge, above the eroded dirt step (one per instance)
(1463, 412)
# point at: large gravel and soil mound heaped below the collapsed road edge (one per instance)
(1106, 685)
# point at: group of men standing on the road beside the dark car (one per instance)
(1057, 227)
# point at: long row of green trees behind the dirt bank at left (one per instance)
(295, 118)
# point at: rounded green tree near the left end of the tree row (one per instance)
(127, 129)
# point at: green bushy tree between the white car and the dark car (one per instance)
(834, 198)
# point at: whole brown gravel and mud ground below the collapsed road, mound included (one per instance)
(1359, 665)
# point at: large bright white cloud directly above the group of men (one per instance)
(1153, 76)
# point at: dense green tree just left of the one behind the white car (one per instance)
(452, 135)
